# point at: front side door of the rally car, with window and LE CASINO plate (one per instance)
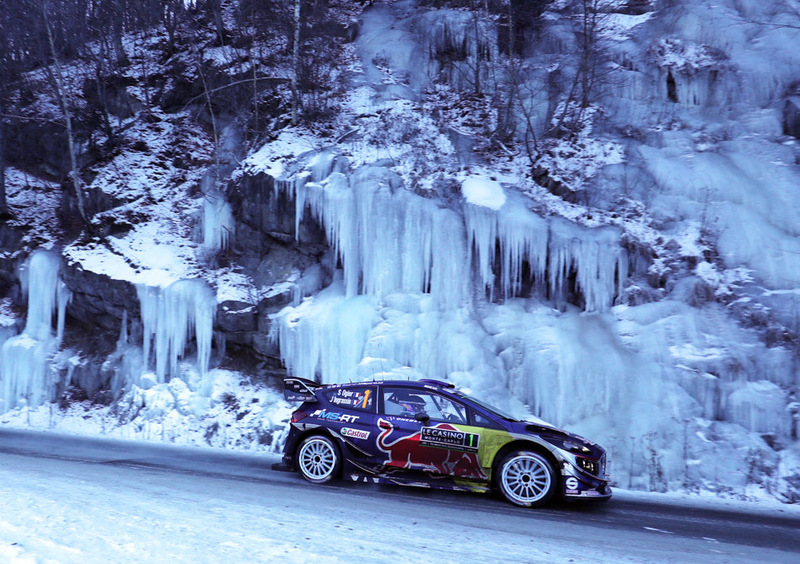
(419, 429)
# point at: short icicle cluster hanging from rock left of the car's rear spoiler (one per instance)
(170, 316)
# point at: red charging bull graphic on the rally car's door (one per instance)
(407, 452)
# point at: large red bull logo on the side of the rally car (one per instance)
(454, 454)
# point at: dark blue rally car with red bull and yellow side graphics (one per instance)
(427, 433)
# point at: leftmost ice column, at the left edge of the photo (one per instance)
(25, 359)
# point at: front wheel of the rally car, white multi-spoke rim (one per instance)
(527, 479)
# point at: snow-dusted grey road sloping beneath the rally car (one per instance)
(67, 499)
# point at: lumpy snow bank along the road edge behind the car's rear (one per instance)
(226, 411)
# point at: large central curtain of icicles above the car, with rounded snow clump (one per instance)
(405, 301)
